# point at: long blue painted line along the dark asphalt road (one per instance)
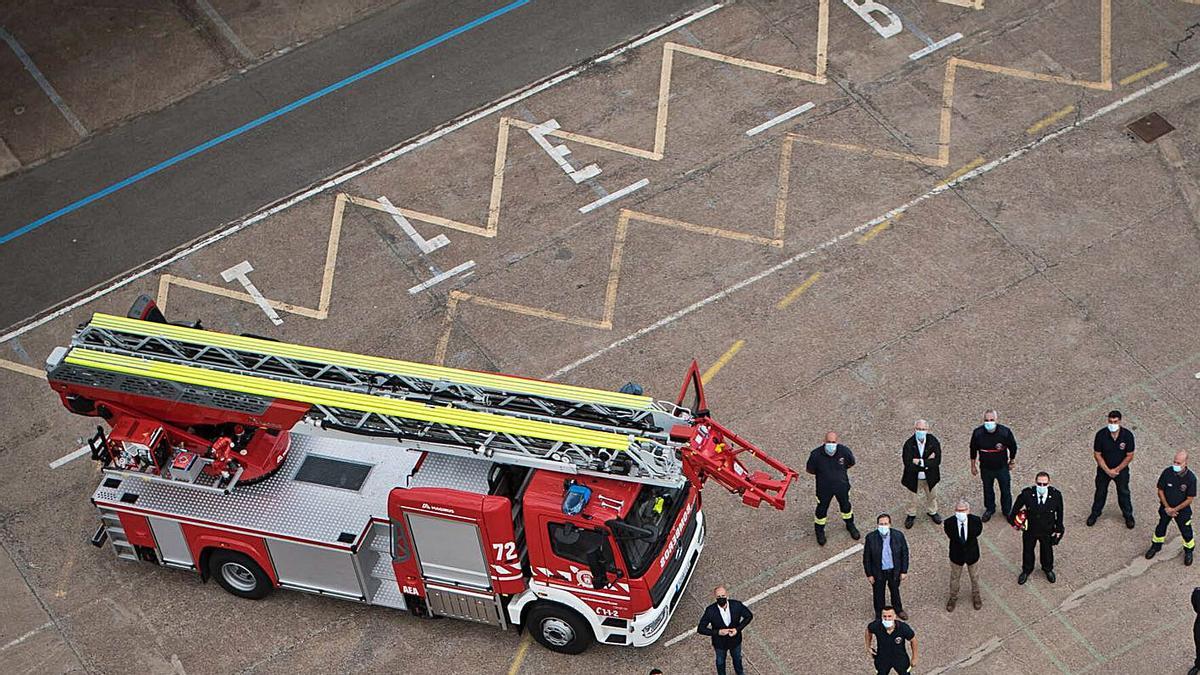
(255, 124)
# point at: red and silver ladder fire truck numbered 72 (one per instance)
(571, 512)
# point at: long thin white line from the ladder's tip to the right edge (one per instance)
(833, 242)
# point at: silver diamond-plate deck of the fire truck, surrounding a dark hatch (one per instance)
(280, 505)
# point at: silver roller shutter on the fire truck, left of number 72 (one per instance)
(449, 551)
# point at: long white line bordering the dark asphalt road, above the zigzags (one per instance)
(355, 172)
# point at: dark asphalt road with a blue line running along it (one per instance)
(167, 210)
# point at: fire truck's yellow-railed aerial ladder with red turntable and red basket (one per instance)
(211, 409)
